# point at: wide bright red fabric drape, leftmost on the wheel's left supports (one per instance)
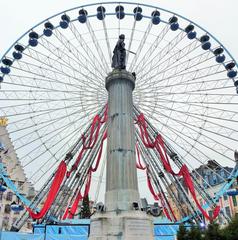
(58, 179)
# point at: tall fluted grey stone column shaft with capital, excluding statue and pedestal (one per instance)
(121, 177)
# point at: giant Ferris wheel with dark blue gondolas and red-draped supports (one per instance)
(53, 94)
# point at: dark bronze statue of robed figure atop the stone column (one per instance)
(119, 54)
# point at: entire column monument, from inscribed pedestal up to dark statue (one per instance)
(121, 217)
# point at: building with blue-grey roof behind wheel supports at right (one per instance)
(211, 177)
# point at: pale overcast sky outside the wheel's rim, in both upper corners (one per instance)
(217, 16)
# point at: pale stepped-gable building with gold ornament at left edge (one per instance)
(15, 172)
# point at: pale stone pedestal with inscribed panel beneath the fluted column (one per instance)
(128, 225)
